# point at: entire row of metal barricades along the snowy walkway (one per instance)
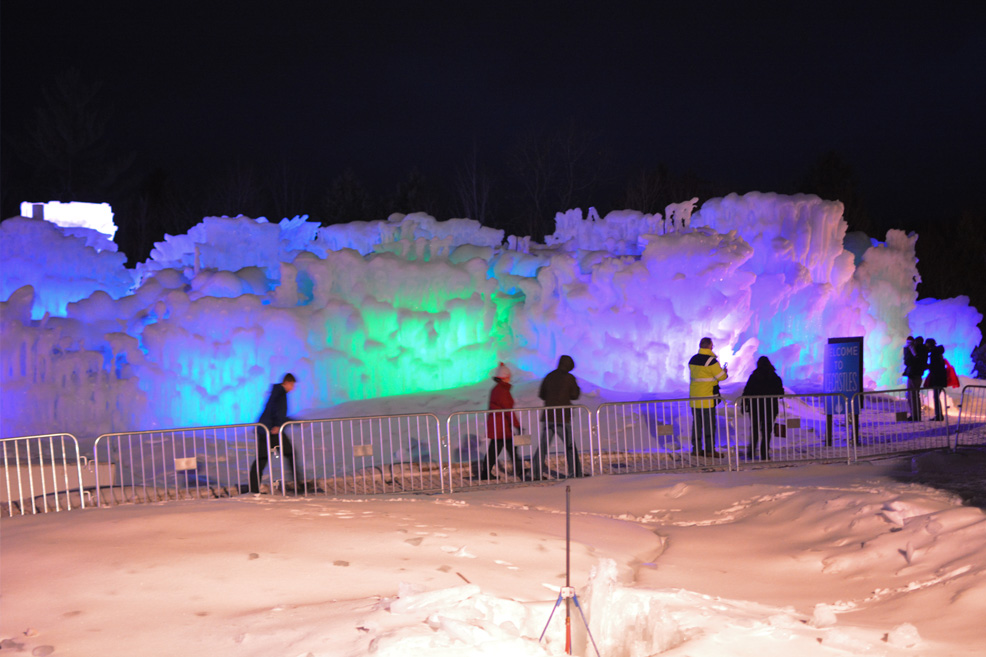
(407, 453)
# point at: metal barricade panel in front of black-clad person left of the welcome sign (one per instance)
(792, 428)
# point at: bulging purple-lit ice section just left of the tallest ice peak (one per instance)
(631, 324)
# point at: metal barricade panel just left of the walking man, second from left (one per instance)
(175, 464)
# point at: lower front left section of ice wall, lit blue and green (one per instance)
(349, 327)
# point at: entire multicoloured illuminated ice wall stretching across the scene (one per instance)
(196, 334)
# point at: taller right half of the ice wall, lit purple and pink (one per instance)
(762, 274)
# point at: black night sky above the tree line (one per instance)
(749, 98)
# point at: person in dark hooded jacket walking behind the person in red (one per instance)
(559, 388)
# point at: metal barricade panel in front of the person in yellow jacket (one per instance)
(656, 435)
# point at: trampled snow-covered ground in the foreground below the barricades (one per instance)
(813, 560)
